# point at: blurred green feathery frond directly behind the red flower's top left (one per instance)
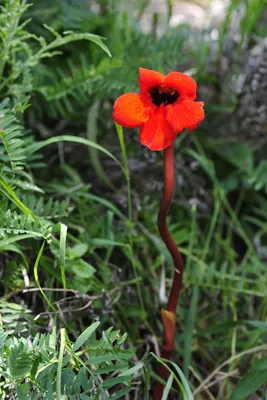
(71, 87)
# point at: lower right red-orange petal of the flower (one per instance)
(187, 114)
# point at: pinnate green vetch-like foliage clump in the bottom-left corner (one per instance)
(39, 361)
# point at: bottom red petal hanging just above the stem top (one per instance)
(156, 133)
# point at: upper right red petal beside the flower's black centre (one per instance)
(184, 84)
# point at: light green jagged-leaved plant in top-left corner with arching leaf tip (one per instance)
(21, 51)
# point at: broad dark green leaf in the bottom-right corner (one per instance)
(251, 381)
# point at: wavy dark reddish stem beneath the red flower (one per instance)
(168, 323)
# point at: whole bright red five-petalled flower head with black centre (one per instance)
(164, 107)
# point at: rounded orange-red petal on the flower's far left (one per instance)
(132, 109)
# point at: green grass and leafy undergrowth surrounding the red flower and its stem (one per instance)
(84, 273)
